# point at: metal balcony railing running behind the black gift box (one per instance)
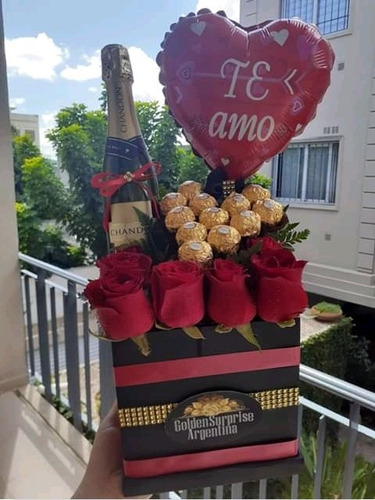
(74, 368)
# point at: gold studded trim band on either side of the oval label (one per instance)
(157, 414)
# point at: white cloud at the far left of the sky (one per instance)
(36, 57)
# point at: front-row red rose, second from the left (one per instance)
(177, 293)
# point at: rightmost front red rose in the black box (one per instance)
(280, 296)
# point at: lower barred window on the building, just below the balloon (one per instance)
(306, 173)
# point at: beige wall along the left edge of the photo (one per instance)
(12, 344)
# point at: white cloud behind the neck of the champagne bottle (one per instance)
(146, 72)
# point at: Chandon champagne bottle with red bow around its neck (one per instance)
(125, 151)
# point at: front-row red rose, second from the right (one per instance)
(229, 300)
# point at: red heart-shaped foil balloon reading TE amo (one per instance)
(239, 94)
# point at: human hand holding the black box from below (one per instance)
(103, 476)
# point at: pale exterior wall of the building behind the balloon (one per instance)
(342, 236)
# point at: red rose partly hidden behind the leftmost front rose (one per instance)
(130, 260)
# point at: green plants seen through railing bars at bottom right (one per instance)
(333, 470)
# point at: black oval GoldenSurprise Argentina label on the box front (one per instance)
(213, 417)
